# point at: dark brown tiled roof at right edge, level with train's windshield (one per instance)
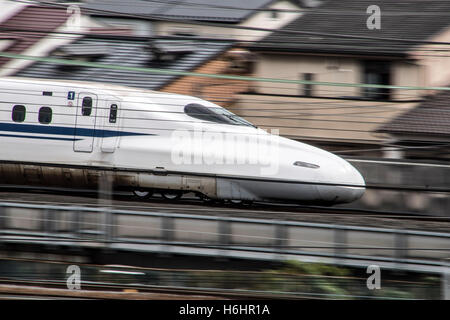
(431, 117)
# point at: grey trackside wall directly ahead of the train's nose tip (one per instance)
(405, 176)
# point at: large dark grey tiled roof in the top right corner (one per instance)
(403, 19)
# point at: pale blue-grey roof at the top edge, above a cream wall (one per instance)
(204, 10)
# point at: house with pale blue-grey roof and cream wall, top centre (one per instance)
(179, 18)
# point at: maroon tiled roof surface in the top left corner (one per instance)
(31, 25)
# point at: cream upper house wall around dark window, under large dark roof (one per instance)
(333, 69)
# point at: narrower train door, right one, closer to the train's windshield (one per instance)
(111, 126)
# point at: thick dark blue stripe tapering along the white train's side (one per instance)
(65, 131)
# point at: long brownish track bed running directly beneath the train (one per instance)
(191, 205)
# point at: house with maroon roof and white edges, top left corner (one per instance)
(36, 30)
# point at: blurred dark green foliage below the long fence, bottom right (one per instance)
(319, 280)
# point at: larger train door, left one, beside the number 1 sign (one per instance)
(85, 122)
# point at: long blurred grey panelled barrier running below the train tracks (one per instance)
(223, 236)
